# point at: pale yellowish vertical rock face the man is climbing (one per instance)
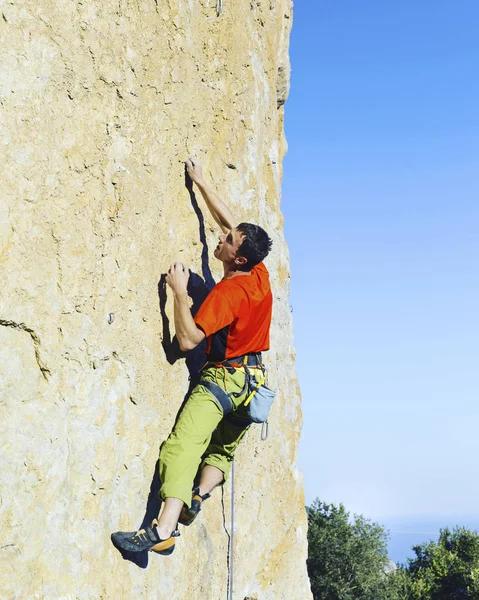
(100, 102)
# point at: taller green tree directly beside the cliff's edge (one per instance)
(347, 557)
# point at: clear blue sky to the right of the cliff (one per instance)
(381, 206)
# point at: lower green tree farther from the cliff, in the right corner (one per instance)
(447, 569)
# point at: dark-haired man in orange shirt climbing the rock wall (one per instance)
(235, 318)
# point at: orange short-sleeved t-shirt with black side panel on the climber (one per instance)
(236, 315)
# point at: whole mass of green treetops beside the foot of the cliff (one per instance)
(347, 560)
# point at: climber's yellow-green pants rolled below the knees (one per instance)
(203, 435)
